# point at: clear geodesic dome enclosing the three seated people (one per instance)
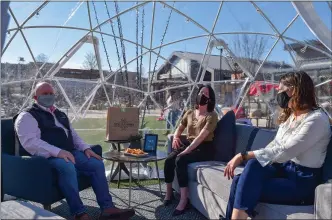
(101, 53)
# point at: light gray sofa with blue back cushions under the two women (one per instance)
(209, 189)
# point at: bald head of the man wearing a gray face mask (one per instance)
(44, 94)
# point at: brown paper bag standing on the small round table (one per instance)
(122, 123)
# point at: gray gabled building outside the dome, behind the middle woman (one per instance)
(218, 69)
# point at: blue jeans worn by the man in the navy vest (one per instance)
(67, 180)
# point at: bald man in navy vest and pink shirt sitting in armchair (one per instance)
(45, 131)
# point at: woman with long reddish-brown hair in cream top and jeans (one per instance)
(288, 170)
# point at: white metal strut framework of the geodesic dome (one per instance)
(213, 40)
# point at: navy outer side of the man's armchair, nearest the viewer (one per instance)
(24, 176)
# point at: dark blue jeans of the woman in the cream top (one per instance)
(287, 184)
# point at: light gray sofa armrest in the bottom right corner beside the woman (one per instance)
(323, 201)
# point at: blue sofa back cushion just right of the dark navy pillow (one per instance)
(245, 135)
